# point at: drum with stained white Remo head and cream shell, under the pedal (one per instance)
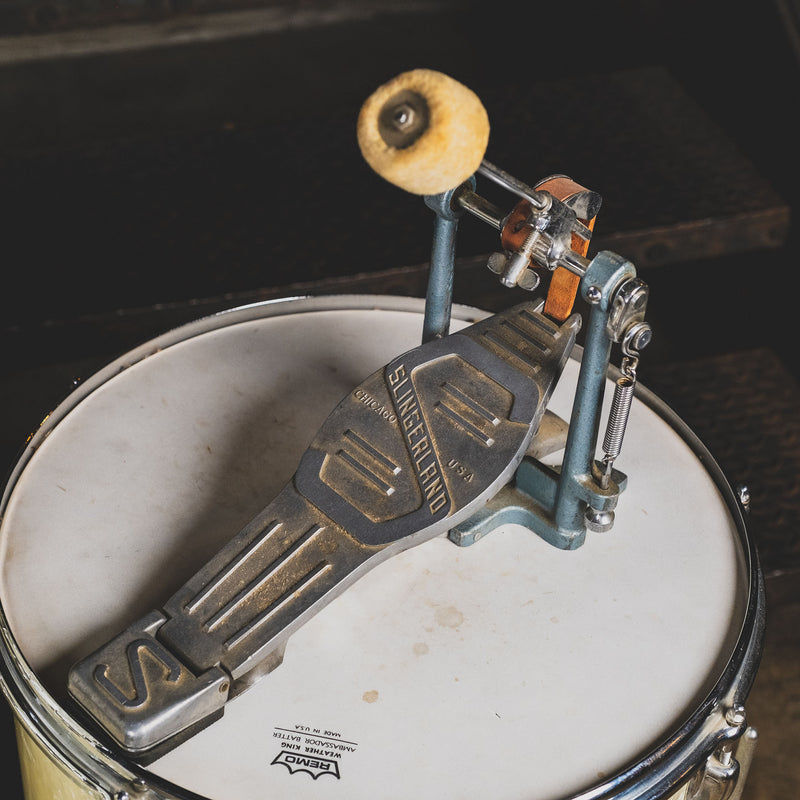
(507, 669)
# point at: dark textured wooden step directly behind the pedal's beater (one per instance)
(221, 216)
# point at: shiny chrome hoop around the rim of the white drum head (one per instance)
(655, 775)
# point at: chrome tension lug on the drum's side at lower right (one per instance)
(724, 774)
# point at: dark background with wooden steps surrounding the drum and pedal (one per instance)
(163, 159)
